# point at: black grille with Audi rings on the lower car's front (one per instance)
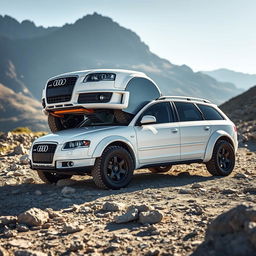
(43, 153)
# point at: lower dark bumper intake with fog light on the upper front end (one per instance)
(101, 97)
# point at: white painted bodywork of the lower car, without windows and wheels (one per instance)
(149, 144)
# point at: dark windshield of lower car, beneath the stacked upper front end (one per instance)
(106, 117)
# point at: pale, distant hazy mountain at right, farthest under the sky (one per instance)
(241, 80)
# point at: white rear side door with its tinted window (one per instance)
(194, 131)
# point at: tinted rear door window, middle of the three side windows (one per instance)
(188, 112)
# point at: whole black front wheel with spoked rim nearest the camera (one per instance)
(114, 169)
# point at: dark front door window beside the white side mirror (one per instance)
(160, 111)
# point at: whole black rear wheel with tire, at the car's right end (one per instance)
(223, 159)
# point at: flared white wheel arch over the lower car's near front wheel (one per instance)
(116, 141)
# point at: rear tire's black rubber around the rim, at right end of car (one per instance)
(214, 166)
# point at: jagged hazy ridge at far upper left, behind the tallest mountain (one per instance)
(11, 28)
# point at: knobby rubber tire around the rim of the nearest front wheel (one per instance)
(100, 169)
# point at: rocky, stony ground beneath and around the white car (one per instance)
(157, 214)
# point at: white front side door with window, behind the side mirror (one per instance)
(158, 142)
